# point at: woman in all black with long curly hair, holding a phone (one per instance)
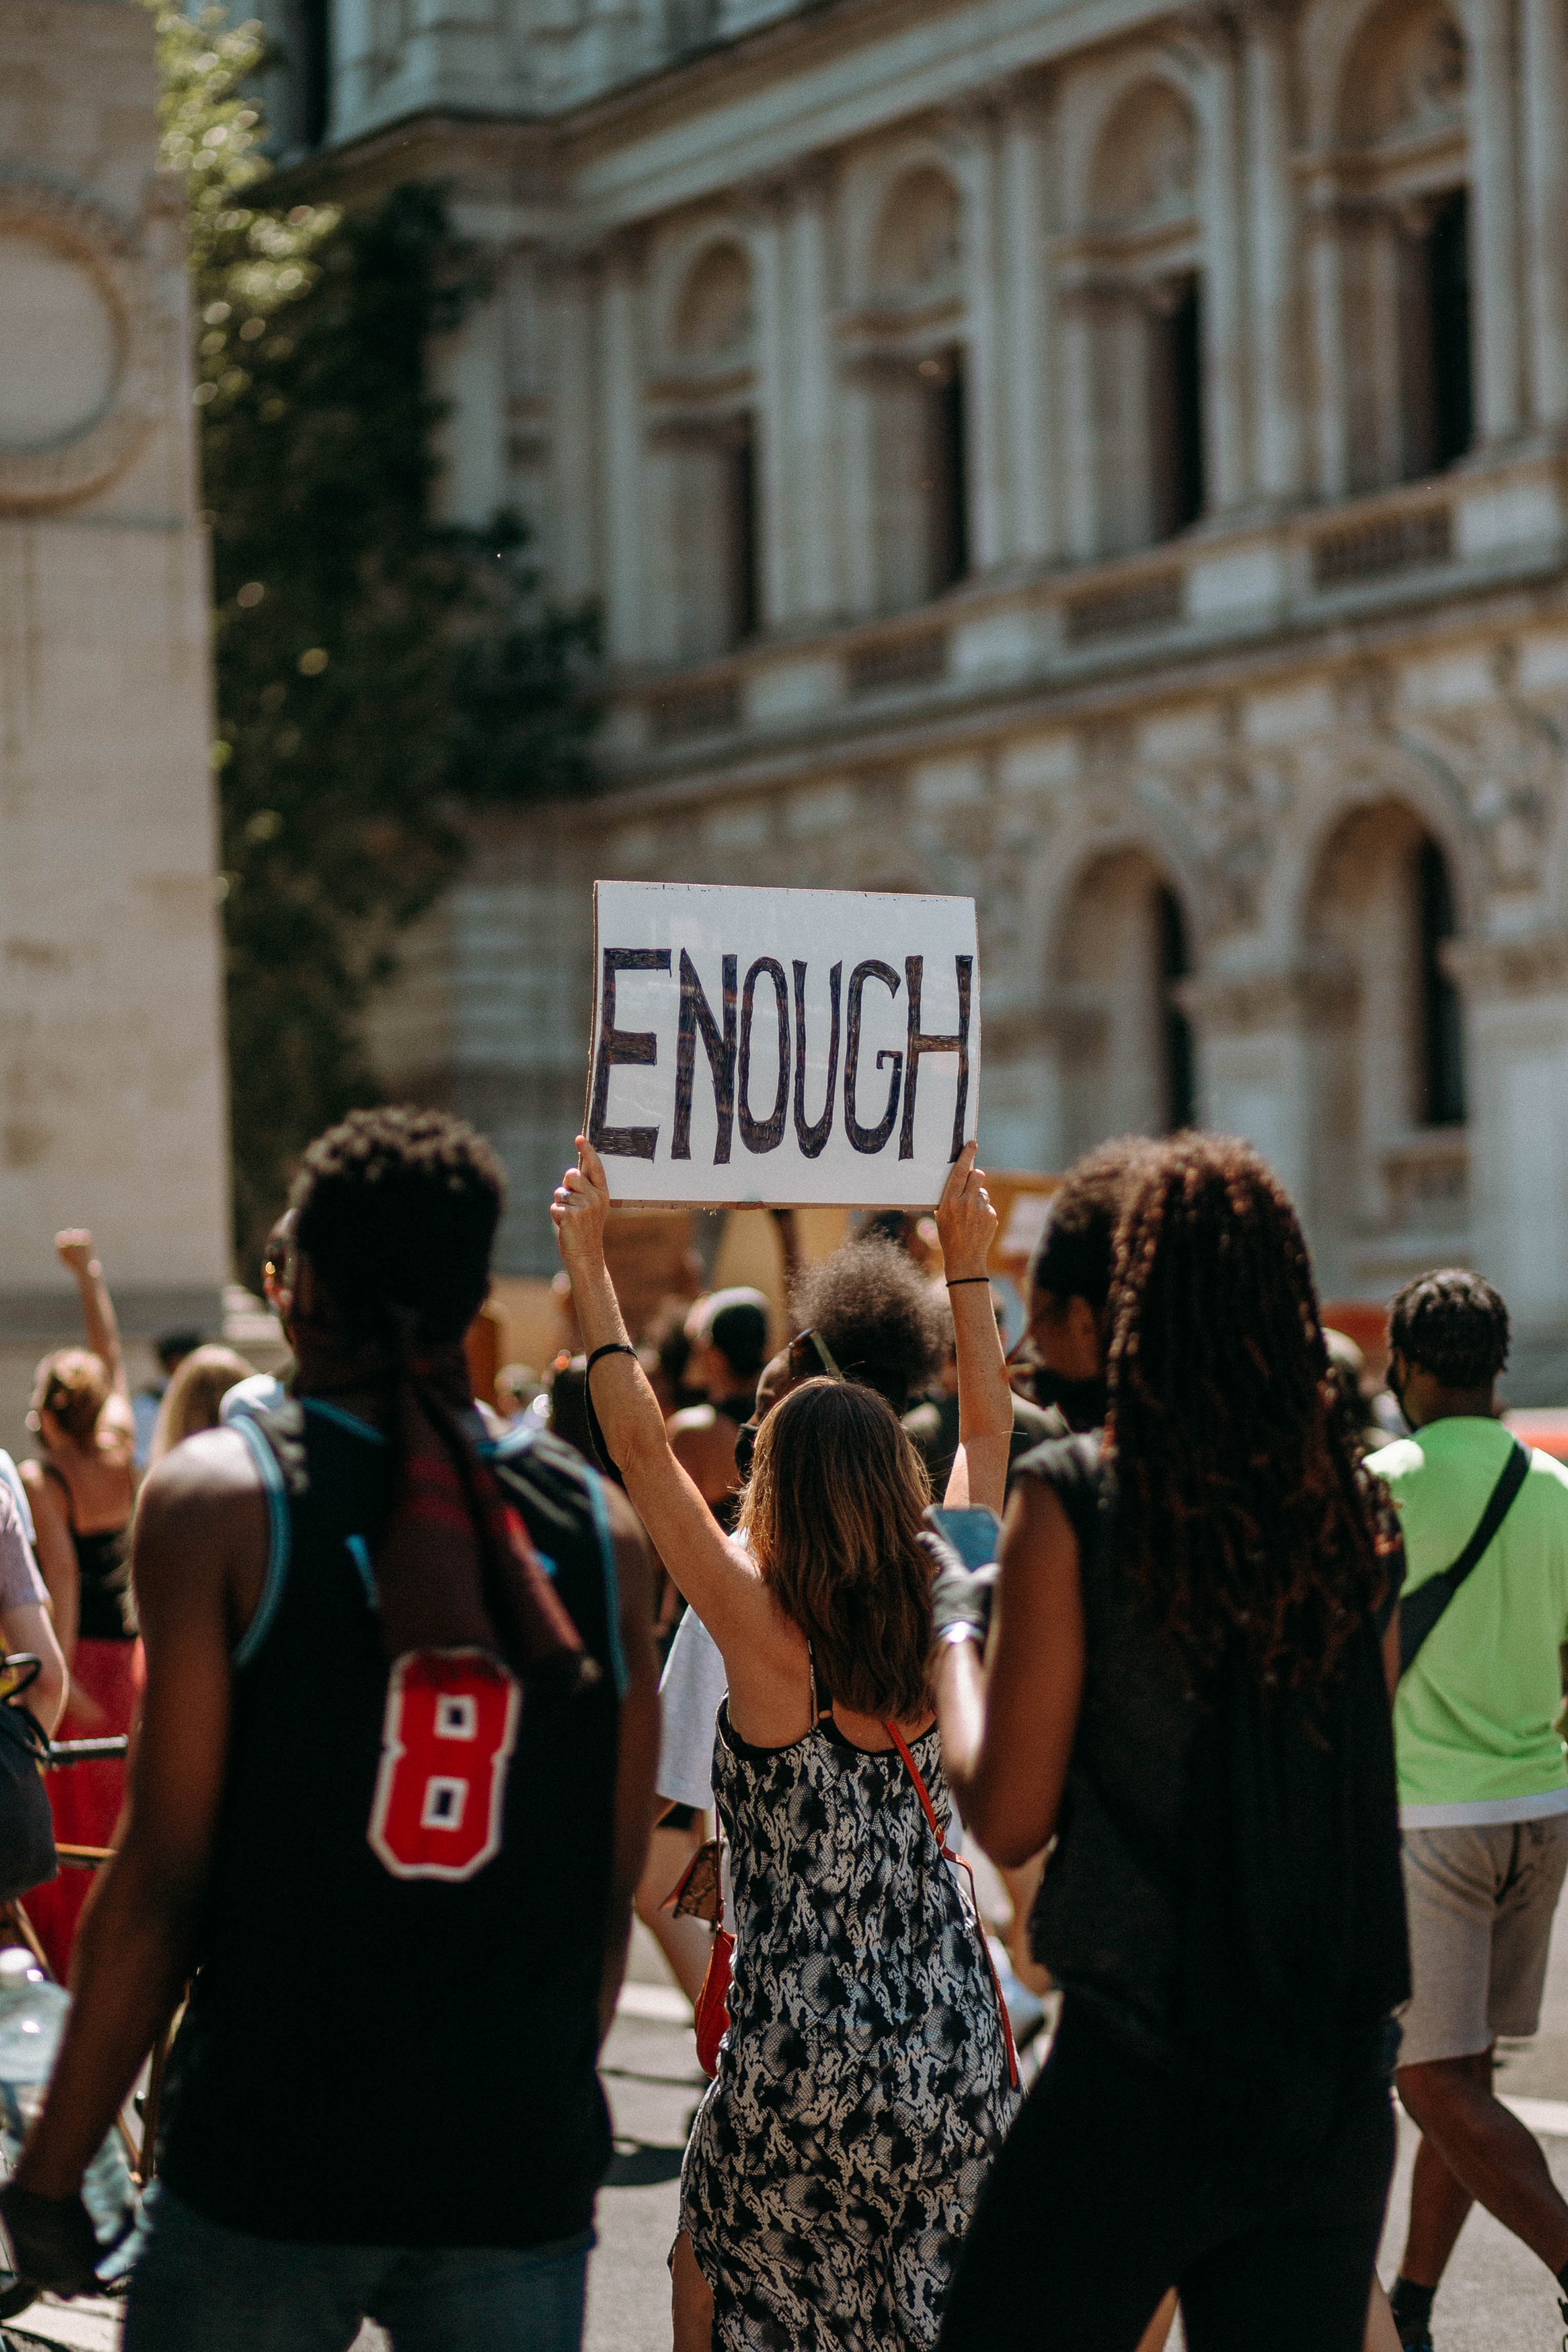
(1186, 1690)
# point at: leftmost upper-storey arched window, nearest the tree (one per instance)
(711, 446)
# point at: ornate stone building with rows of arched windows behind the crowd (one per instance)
(1101, 457)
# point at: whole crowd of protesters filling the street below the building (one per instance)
(1240, 1673)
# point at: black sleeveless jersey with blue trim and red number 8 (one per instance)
(401, 2059)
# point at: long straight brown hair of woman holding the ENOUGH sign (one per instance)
(831, 1511)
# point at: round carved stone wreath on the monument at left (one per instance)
(88, 460)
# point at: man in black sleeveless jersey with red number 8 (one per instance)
(380, 1655)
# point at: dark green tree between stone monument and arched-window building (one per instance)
(377, 671)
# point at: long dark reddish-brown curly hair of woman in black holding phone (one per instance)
(1238, 1497)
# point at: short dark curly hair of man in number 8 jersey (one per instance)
(398, 1212)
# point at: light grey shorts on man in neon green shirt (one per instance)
(1480, 1906)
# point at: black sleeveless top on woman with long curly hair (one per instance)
(1226, 1887)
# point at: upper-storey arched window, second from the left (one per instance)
(916, 385)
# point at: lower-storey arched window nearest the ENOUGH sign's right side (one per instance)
(1127, 1045)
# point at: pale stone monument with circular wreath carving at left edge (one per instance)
(112, 1053)
